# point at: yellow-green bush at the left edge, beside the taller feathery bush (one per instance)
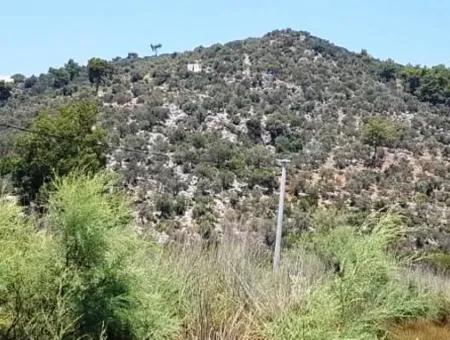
(32, 302)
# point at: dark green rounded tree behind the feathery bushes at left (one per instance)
(58, 143)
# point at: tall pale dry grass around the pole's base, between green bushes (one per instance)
(232, 291)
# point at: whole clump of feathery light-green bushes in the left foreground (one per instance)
(87, 275)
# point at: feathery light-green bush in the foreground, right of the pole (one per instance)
(365, 293)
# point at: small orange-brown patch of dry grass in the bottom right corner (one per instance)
(421, 330)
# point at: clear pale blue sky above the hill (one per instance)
(44, 33)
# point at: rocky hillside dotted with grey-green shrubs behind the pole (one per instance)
(196, 136)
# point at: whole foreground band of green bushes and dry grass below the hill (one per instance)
(84, 273)
